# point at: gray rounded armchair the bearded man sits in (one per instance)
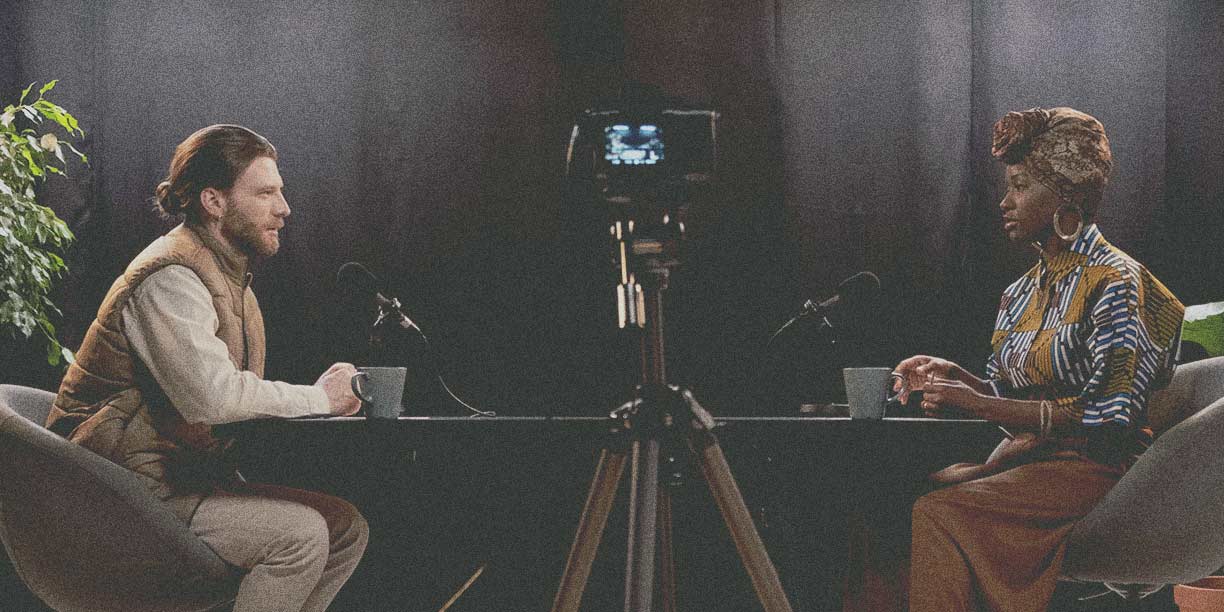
(85, 534)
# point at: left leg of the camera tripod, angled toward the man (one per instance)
(591, 531)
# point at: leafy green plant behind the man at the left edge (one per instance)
(32, 238)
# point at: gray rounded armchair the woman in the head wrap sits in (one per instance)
(1162, 523)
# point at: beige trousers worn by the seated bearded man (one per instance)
(299, 548)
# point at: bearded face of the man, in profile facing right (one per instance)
(256, 210)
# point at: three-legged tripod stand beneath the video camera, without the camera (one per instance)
(662, 414)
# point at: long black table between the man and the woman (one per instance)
(446, 494)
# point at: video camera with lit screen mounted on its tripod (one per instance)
(642, 162)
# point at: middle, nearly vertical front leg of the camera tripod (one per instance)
(640, 575)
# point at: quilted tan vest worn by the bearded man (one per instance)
(110, 402)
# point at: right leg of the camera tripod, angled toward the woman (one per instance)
(740, 523)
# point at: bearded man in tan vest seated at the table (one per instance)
(178, 347)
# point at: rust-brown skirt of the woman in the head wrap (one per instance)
(998, 543)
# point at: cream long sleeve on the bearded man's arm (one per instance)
(172, 325)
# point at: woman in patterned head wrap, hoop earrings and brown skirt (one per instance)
(1080, 342)
